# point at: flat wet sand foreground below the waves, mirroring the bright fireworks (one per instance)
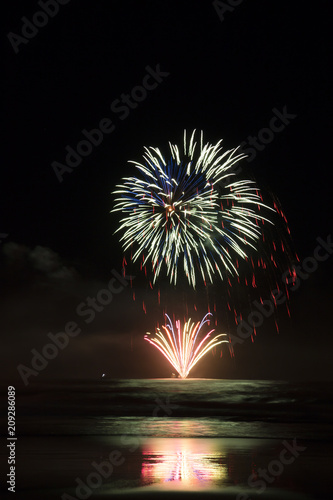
(135, 467)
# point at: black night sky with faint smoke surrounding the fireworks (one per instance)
(223, 76)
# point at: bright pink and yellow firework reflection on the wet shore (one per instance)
(188, 462)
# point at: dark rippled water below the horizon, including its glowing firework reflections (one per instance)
(240, 439)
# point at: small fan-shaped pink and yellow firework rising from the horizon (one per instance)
(183, 349)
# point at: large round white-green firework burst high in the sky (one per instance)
(187, 212)
